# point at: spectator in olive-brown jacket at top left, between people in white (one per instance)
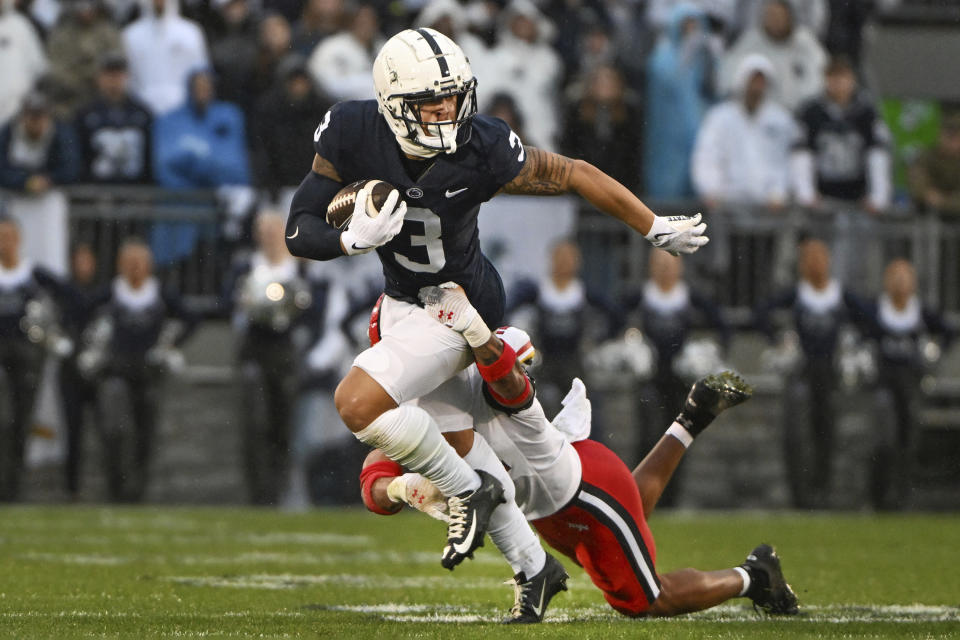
(75, 46)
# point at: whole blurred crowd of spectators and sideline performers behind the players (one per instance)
(728, 101)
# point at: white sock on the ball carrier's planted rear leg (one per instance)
(508, 528)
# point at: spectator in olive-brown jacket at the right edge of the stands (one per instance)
(935, 175)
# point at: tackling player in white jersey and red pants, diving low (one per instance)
(601, 525)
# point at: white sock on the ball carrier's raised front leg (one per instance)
(409, 435)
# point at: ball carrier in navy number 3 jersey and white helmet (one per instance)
(422, 135)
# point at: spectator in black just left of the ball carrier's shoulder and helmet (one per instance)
(283, 127)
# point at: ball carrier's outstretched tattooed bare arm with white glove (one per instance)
(546, 173)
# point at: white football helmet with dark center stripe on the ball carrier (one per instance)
(419, 66)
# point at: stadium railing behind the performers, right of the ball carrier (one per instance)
(752, 252)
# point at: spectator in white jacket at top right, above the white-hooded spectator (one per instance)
(798, 59)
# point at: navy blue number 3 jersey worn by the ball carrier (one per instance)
(439, 240)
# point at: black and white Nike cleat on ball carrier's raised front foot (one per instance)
(469, 515)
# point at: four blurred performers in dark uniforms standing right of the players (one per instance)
(826, 341)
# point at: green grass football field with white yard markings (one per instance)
(242, 573)
